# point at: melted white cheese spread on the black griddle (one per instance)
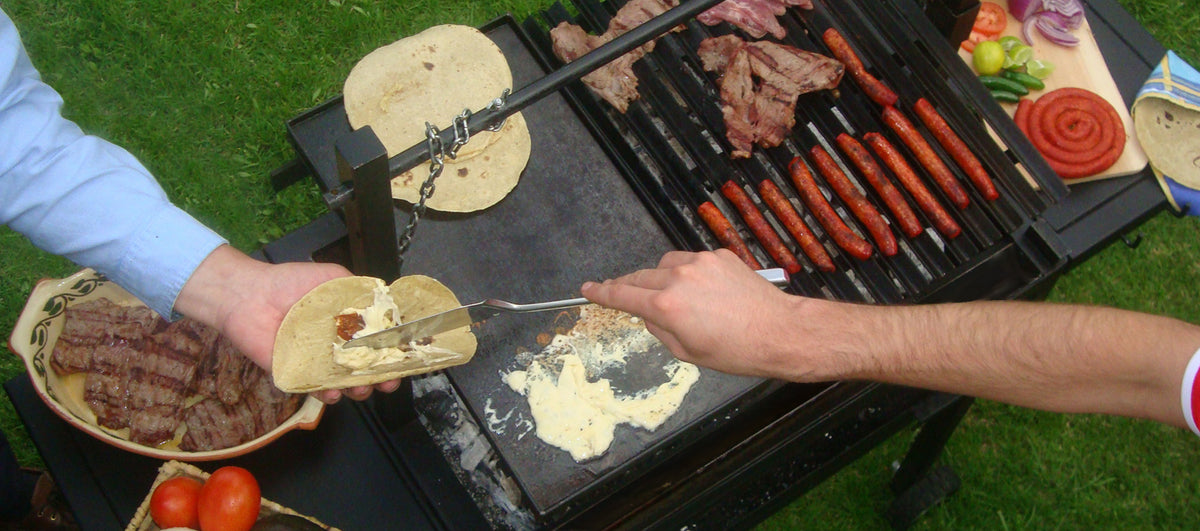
(581, 416)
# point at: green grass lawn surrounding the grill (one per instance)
(200, 92)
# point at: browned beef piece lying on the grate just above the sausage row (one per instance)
(760, 82)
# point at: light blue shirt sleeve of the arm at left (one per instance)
(86, 199)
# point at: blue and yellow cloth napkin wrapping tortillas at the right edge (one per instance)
(1167, 121)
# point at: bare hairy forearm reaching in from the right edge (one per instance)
(1053, 357)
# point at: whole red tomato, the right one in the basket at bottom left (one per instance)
(230, 500)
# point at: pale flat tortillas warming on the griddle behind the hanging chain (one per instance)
(433, 77)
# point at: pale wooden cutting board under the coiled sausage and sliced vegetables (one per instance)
(1081, 67)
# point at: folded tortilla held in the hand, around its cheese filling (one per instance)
(307, 347)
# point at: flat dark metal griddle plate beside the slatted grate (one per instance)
(572, 218)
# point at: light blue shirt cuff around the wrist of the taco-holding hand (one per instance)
(163, 256)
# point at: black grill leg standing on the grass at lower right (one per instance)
(917, 484)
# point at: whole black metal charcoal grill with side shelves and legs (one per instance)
(627, 193)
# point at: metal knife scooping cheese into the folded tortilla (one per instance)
(463, 317)
